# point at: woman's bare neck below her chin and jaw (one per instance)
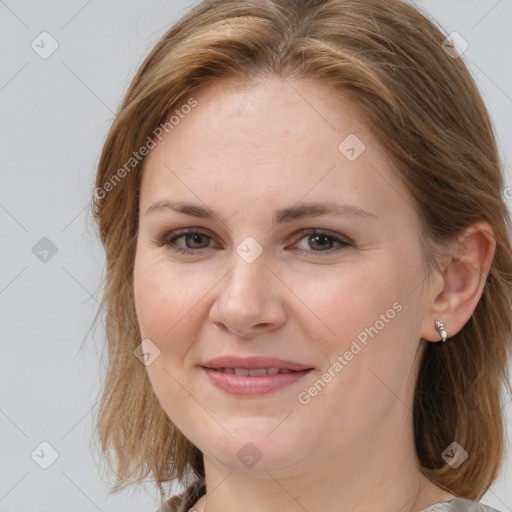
(369, 473)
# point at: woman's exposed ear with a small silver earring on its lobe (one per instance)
(458, 287)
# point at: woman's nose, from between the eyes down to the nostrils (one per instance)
(250, 300)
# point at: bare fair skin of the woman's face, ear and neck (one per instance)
(245, 151)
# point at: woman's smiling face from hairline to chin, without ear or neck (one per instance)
(339, 293)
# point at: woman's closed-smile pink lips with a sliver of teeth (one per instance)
(221, 373)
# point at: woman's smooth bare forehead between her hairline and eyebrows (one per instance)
(275, 139)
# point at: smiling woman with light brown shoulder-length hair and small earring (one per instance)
(309, 263)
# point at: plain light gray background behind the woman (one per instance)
(55, 114)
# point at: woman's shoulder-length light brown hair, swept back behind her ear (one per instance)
(425, 108)
